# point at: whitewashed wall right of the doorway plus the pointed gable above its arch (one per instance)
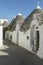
(40, 51)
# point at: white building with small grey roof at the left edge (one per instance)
(3, 24)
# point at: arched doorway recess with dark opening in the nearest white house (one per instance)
(34, 38)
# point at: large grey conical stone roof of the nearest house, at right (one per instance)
(28, 20)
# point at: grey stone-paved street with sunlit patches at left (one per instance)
(17, 55)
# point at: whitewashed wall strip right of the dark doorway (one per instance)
(40, 52)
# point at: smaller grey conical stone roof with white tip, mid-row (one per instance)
(19, 19)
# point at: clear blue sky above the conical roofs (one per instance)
(10, 8)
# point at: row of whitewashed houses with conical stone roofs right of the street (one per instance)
(28, 32)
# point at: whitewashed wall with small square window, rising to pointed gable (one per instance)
(23, 41)
